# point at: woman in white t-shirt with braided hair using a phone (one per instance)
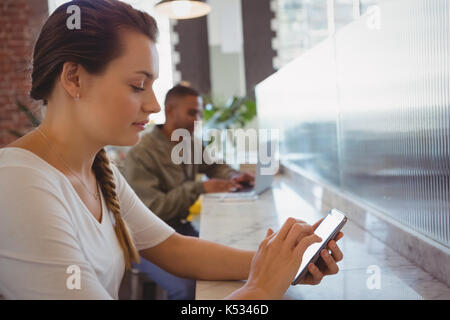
(70, 224)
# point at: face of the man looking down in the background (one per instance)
(188, 109)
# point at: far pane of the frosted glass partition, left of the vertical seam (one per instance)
(306, 112)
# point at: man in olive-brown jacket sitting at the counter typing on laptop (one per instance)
(170, 189)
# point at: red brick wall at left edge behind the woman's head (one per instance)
(20, 23)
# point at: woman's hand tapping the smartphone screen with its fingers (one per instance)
(278, 258)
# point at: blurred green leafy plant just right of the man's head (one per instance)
(235, 113)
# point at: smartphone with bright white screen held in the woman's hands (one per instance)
(327, 230)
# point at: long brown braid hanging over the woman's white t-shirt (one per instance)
(105, 178)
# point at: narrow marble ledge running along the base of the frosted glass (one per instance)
(421, 251)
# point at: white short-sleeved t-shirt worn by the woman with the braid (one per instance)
(47, 233)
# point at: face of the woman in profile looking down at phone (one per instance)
(123, 93)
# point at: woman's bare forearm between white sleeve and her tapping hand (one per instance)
(195, 258)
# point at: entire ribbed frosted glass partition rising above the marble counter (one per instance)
(368, 111)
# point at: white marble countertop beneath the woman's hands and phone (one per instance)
(244, 224)
